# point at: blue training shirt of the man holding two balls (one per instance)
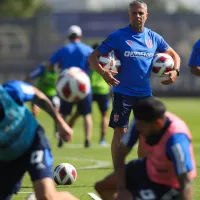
(135, 51)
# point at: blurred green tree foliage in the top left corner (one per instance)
(20, 8)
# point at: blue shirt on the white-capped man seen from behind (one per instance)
(73, 54)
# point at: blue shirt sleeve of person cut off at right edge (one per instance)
(195, 55)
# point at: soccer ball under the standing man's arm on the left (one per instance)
(110, 62)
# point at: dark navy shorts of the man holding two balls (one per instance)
(122, 107)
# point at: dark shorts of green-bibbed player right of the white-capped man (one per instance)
(102, 101)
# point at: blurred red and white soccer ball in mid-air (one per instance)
(73, 84)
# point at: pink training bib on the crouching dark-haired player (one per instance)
(159, 168)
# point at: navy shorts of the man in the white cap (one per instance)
(84, 106)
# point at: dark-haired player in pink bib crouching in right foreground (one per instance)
(169, 168)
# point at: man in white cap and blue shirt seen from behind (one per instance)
(75, 53)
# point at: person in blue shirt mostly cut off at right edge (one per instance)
(194, 62)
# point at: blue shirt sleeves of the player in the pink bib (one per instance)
(177, 149)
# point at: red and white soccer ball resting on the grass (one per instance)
(65, 174)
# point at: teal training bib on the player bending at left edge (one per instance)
(17, 124)
